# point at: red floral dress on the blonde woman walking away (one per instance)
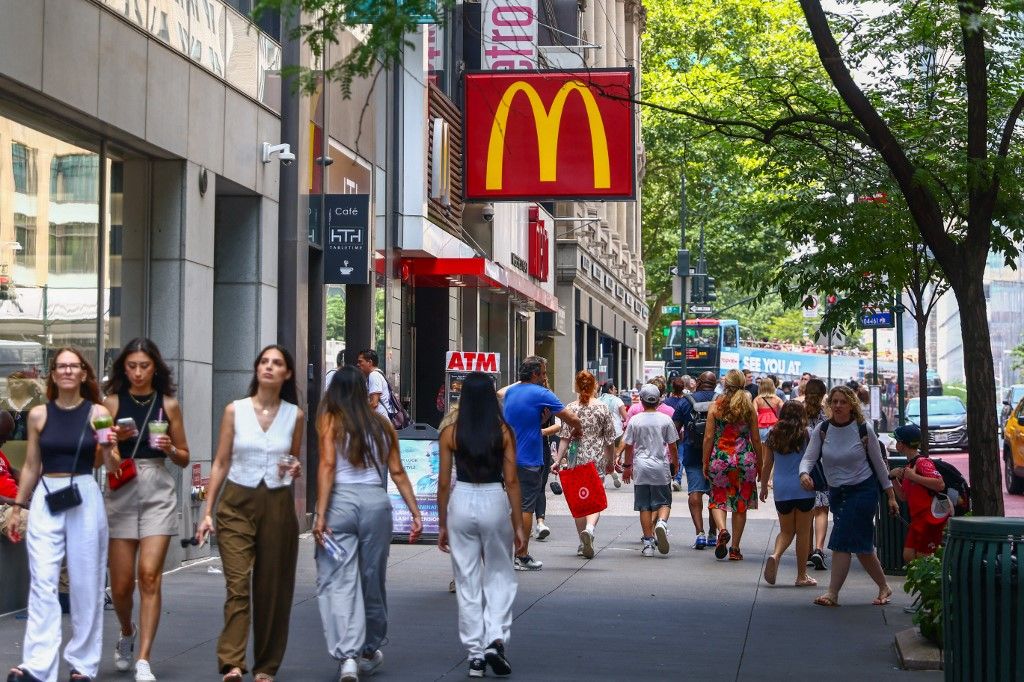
(734, 468)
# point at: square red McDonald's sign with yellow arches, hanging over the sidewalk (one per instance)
(550, 135)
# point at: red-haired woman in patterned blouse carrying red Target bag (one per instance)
(595, 444)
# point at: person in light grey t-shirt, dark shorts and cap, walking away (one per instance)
(648, 438)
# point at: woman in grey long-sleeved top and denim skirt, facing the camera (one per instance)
(855, 468)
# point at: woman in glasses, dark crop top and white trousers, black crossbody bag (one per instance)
(63, 452)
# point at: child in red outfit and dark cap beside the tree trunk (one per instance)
(919, 482)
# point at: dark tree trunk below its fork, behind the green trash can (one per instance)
(986, 470)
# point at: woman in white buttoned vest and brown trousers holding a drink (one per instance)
(258, 453)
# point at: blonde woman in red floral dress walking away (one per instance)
(732, 461)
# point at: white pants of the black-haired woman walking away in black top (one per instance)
(481, 536)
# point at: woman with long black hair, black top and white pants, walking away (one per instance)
(477, 524)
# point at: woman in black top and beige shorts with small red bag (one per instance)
(143, 514)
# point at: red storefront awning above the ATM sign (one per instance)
(481, 274)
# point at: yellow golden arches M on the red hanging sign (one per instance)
(547, 123)
